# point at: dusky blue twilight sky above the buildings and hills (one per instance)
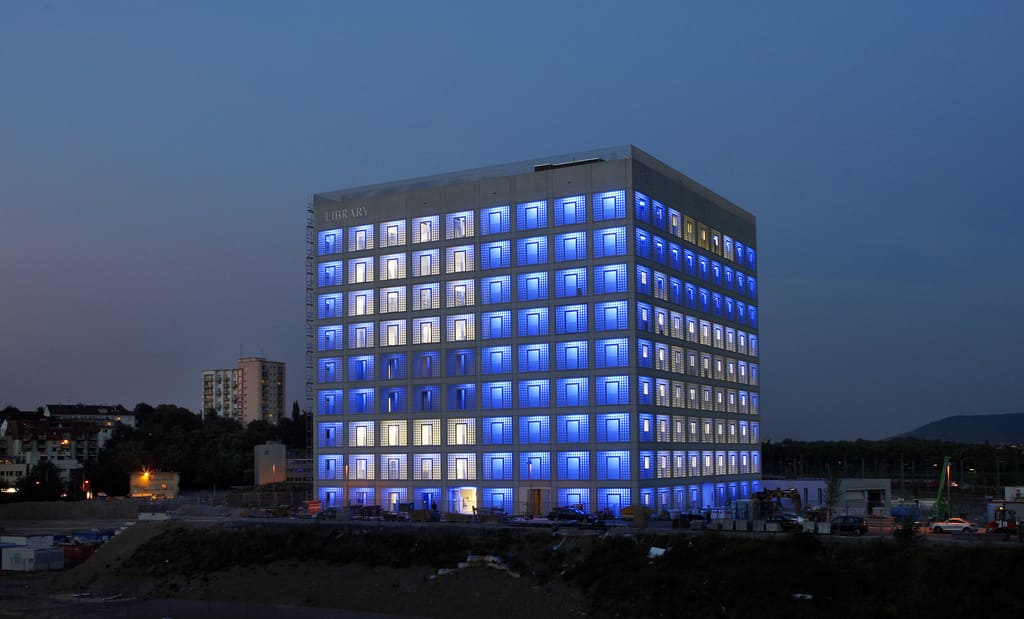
(156, 159)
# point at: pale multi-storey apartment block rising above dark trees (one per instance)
(254, 391)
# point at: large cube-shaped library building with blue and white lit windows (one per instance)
(535, 335)
